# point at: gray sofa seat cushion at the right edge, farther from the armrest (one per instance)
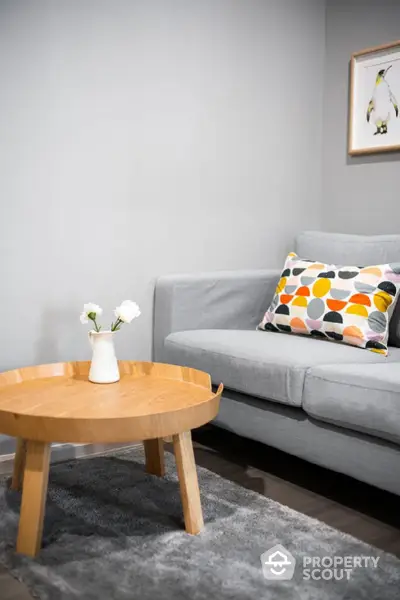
(356, 396)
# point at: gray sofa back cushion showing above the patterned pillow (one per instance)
(361, 250)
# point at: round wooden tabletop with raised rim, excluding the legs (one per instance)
(57, 403)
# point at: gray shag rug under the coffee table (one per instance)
(113, 532)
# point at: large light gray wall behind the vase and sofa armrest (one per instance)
(146, 137)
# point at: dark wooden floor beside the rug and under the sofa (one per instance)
(365, 512)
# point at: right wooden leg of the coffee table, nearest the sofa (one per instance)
(189, 484)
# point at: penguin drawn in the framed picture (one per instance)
(382, 103)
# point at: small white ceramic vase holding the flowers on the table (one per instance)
(104, 365)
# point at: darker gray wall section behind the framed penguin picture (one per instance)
(360, 195)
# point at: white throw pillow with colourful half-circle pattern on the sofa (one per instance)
(347, 304)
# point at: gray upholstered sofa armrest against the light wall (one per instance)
(219, 300)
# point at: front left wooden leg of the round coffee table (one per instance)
(33, 498)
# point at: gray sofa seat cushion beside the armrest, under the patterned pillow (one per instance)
(264, 364)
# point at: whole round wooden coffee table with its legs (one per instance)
(56, 403)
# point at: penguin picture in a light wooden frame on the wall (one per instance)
(374, 117)
